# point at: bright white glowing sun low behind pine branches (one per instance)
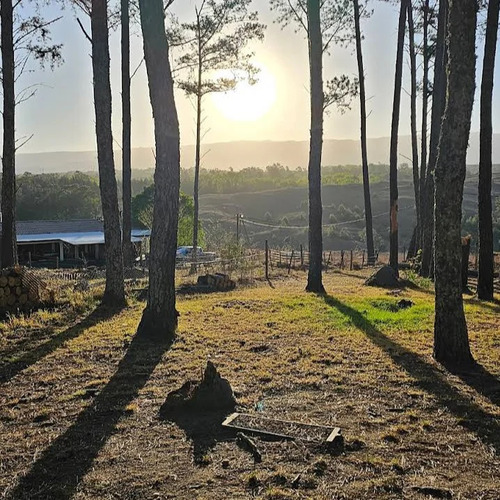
(248, 103)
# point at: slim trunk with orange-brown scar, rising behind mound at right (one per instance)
(393, 164)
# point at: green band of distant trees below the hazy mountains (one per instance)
(76, 195)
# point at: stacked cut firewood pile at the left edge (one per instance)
(22, 290)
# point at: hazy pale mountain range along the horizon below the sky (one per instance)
(242, 154)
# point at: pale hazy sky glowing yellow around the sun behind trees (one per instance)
(61, 116)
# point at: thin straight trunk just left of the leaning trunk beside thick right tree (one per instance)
(425, 108)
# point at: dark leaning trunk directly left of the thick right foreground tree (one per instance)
(438, 103)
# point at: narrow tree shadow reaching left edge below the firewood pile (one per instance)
(10, 369)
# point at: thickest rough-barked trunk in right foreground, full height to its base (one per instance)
(451, 342)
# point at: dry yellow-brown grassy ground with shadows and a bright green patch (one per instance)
(81, 397)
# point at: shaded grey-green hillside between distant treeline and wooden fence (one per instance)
(285, 207)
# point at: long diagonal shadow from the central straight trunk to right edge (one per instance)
(428, 377)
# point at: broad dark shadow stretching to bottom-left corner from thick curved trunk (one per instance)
(57, 472)
